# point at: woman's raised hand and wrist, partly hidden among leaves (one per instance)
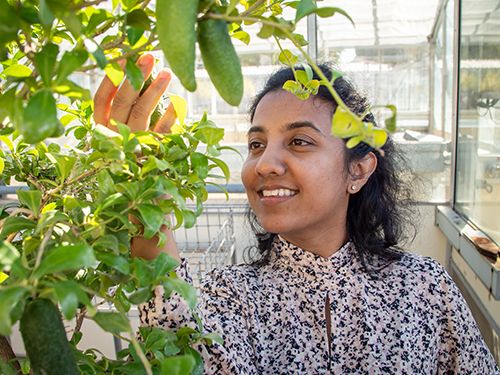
(123, 104)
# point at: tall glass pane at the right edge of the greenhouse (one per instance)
(478, 159)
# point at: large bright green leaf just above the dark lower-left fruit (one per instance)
(65, 258)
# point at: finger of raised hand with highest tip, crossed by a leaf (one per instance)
(126, 96)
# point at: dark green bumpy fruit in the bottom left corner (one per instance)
(45, 339)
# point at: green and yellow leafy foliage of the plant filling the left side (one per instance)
(68, 239)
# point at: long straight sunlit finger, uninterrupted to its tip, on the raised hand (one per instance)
(145, 105)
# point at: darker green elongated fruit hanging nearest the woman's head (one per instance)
(220, 59)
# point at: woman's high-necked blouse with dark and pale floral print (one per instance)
(408, 318)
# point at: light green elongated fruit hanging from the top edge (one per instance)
(175, 25)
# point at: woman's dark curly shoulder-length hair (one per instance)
(379, 214)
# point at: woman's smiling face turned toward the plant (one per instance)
(294, 174)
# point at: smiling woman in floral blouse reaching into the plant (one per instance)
(331, 292)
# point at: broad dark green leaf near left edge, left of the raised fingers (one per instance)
(40, 117)
